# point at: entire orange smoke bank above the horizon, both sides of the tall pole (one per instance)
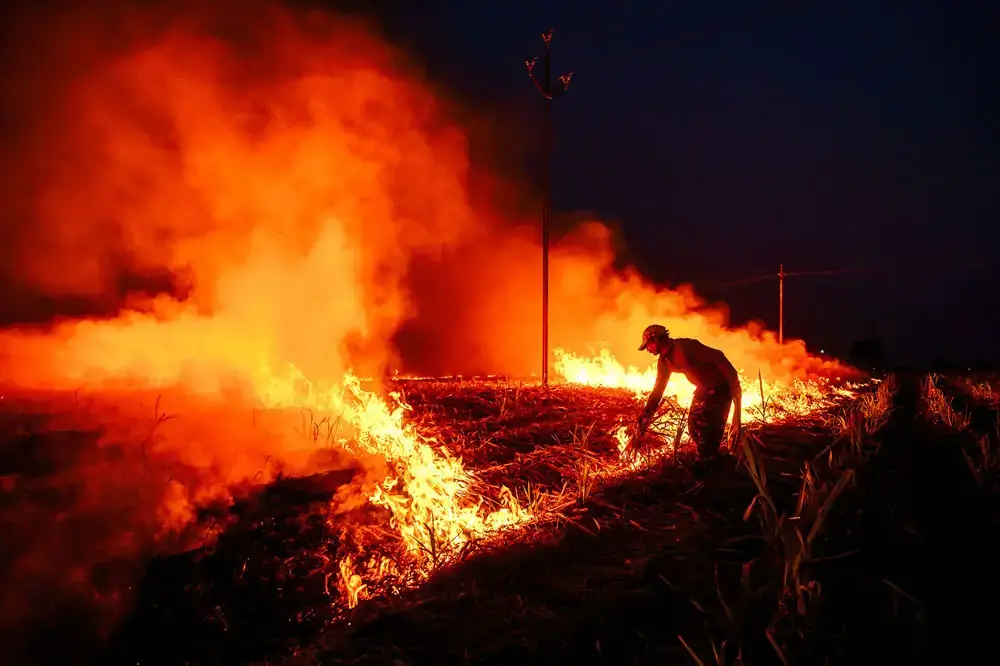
(303, 198)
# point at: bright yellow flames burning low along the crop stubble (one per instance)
(432, 496)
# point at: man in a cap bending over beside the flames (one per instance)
(716, 382)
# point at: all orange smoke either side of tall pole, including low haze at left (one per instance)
(212, 196)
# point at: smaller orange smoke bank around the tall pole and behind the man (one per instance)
(492, 322)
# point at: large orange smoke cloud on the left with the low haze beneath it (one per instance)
(205, 198)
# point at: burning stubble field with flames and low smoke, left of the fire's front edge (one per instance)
(370, 500)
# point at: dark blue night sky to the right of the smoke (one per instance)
(729, 137)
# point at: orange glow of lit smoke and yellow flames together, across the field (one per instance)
(291, 179)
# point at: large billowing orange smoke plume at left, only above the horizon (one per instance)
(281, 176)
